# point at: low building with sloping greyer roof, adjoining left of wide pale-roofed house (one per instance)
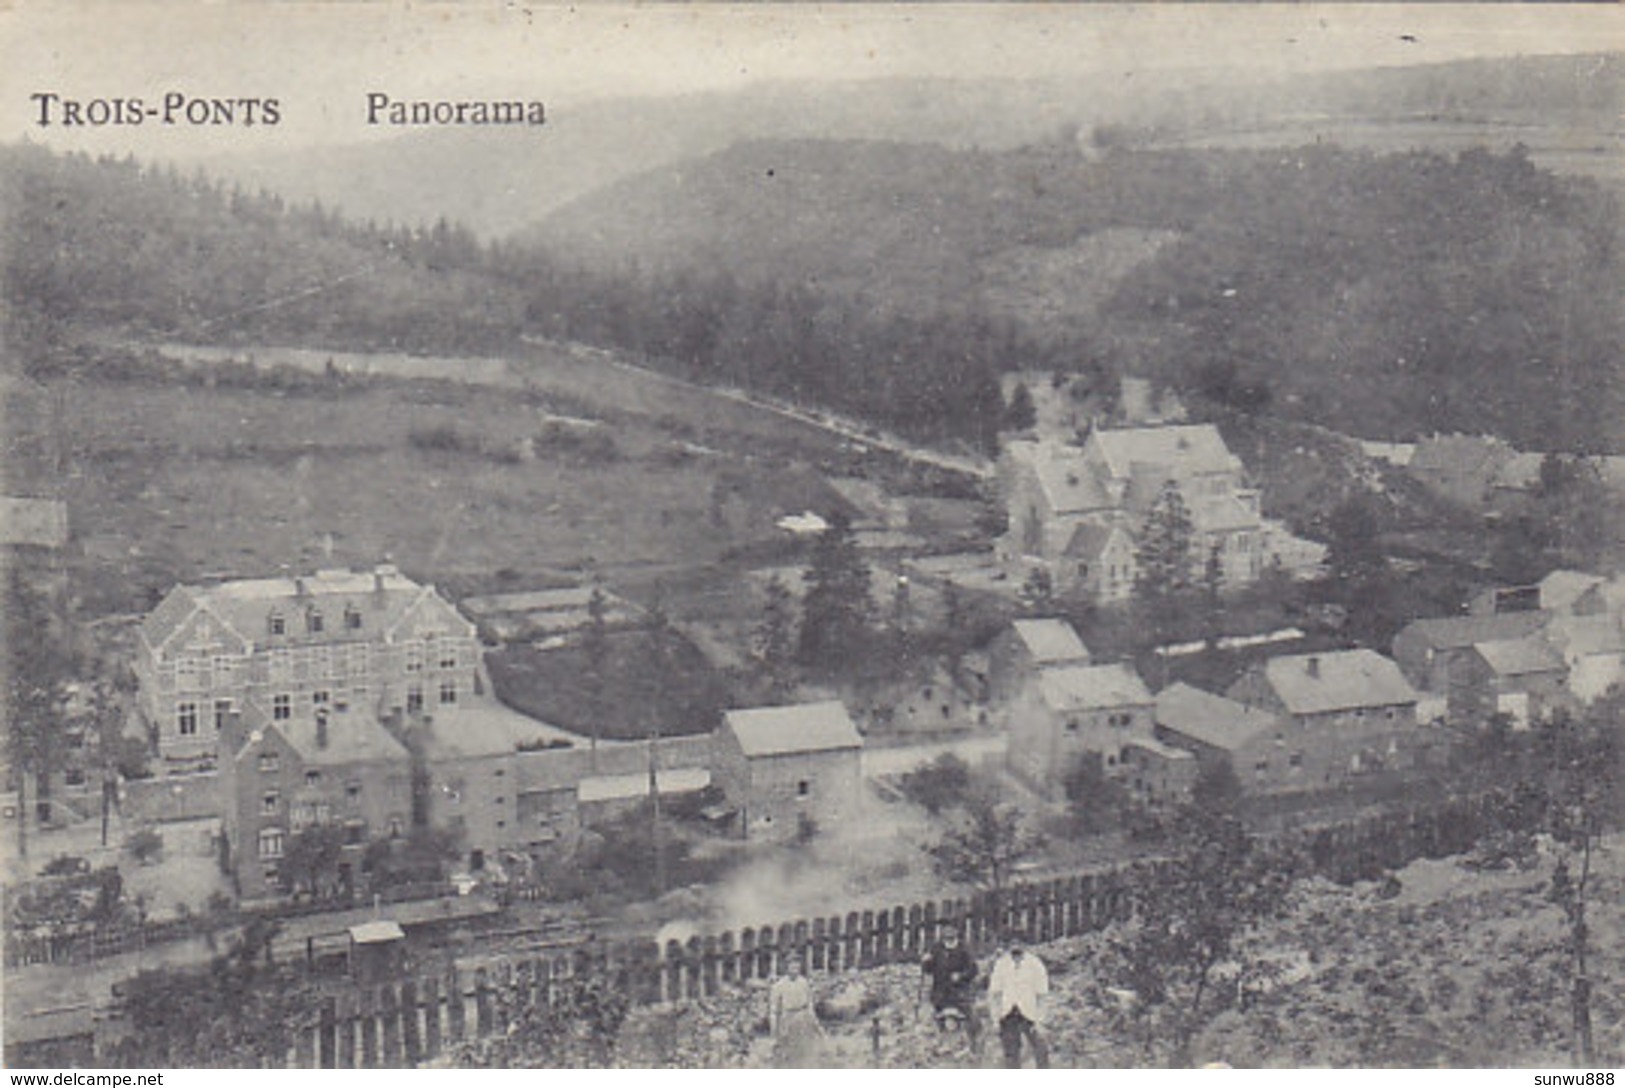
(1249, 741)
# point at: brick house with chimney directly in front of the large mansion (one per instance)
(323, 767)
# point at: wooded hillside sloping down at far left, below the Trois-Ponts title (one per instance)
(119, 246)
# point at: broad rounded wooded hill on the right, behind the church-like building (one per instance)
(1387, 295)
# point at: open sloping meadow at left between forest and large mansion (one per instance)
(171, 480)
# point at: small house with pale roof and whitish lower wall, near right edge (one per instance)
(1520, 678)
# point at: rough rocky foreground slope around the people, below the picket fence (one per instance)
(1460, 970)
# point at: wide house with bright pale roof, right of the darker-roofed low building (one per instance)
(1343, 715)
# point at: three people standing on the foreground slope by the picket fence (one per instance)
(1016, 991)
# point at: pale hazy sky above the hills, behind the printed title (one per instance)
(323, 59)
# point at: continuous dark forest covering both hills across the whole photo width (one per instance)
(1387, 295)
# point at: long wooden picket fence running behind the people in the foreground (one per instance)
(410, 1022)
